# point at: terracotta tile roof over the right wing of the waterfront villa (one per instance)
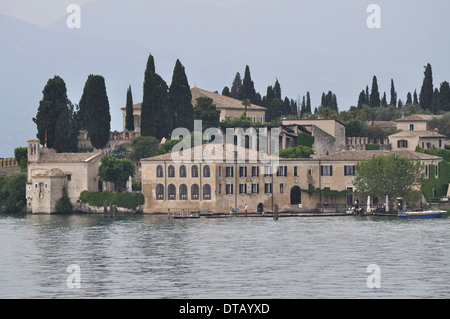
(366, 155)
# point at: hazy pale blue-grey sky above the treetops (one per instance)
(313, 46)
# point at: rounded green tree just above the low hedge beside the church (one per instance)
(116, 171)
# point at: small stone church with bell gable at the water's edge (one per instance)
(51, 175)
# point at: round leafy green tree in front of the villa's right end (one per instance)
(390, 175)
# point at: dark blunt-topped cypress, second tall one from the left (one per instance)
(94, 106)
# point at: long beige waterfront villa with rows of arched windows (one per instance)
(216, 183)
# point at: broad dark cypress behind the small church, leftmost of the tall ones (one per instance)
(55, 118)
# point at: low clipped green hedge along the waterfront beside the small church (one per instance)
(124, 200)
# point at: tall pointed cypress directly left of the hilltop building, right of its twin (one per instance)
(180, 99)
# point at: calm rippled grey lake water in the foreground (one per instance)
(154, 257)
